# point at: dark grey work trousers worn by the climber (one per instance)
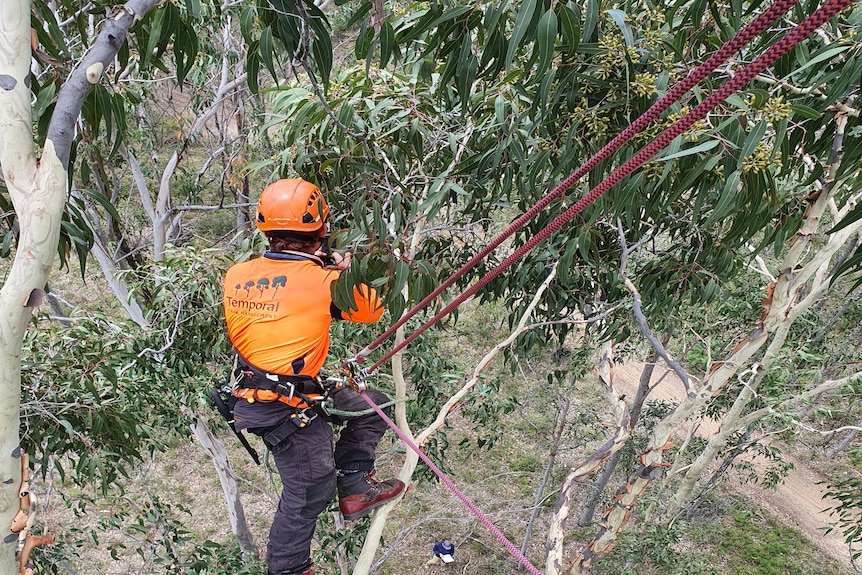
(306, 463)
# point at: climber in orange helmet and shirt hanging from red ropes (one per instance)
(278, 310)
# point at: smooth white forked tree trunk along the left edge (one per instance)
(38, 191)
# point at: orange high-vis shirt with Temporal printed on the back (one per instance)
(278, 312)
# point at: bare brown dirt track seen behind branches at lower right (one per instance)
(798, 501)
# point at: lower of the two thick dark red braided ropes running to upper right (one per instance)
(796, 35)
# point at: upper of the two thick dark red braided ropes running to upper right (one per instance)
(743, 37)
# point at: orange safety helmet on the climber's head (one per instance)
(291, 205)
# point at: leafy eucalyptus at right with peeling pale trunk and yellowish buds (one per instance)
(521, 96)
